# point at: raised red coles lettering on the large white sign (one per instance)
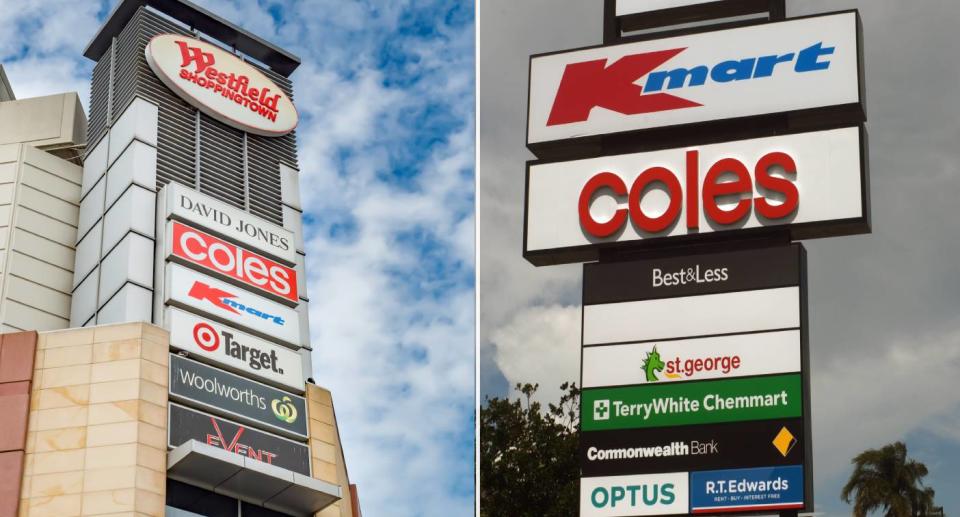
(714, 190)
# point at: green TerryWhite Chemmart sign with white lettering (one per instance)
(658, 405)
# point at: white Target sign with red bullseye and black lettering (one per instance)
(213, 342)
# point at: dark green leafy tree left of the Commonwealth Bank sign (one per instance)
(528, 456)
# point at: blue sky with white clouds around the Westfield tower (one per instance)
(387, 161)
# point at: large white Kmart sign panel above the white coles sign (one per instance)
(794, 65)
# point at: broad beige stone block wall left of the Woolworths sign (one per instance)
(96, 440)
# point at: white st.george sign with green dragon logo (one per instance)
(681, 360)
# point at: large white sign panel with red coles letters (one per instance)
(809, 184)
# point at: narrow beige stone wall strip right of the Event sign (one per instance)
(326, 451)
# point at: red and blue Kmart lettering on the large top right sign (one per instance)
(613, 86)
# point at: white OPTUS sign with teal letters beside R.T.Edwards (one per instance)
(625, 496)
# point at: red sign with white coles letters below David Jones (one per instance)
(235, 262)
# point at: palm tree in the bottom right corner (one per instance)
(886, 480)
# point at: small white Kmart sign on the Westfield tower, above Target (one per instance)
(227, 302)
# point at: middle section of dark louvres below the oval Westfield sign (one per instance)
(221, 162)
